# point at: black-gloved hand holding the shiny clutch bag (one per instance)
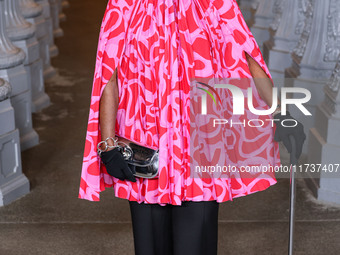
(116, 166)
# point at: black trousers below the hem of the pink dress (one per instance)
(189, 229)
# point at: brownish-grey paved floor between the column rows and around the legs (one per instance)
(52, 220)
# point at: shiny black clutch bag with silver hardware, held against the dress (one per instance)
(143, 159)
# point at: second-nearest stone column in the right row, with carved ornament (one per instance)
(315, 56)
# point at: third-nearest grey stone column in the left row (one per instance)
(22, 34)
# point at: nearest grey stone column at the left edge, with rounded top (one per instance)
(13, 183)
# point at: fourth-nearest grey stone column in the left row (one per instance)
(33, 13)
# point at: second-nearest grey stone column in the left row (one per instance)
(13, 70)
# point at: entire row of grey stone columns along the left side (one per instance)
(27, 31)
